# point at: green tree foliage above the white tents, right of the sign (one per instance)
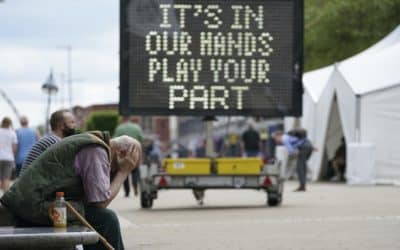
(338, 29)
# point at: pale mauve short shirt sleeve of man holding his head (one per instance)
(92, 164)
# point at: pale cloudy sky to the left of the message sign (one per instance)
(33, 37)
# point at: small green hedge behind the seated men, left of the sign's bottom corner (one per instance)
(103, 120)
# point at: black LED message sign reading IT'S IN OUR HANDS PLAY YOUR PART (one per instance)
(211, 57)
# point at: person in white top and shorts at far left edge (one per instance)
(8, 148)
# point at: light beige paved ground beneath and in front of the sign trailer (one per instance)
(328, 216)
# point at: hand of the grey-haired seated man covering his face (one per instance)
(130, 158)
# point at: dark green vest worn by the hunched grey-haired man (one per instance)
(30, 196)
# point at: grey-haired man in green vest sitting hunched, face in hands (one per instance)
(80, 166)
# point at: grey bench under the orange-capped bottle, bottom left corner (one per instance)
(45, 238)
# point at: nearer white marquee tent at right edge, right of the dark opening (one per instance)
(370, 114)
